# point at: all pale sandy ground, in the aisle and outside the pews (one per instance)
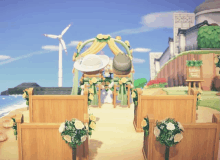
(113, 138)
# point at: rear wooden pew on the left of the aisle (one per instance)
(57, 108)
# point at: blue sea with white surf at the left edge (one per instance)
(10, 103)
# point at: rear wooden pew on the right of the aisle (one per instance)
(180, 107)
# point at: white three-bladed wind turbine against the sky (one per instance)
(61, 44)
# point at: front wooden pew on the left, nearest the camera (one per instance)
(43, 141)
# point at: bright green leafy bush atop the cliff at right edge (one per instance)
(209, 37)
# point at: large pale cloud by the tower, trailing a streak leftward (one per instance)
(150, 22)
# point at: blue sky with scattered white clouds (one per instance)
(28, 56)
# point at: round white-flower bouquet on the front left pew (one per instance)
(74, 132)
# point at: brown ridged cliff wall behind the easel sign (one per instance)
(175, 71)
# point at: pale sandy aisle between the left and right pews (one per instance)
(115, 137)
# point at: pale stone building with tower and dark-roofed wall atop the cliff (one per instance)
(185, 31)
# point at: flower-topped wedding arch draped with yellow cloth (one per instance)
(98, 43)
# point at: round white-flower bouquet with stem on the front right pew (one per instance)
(168, 132)
